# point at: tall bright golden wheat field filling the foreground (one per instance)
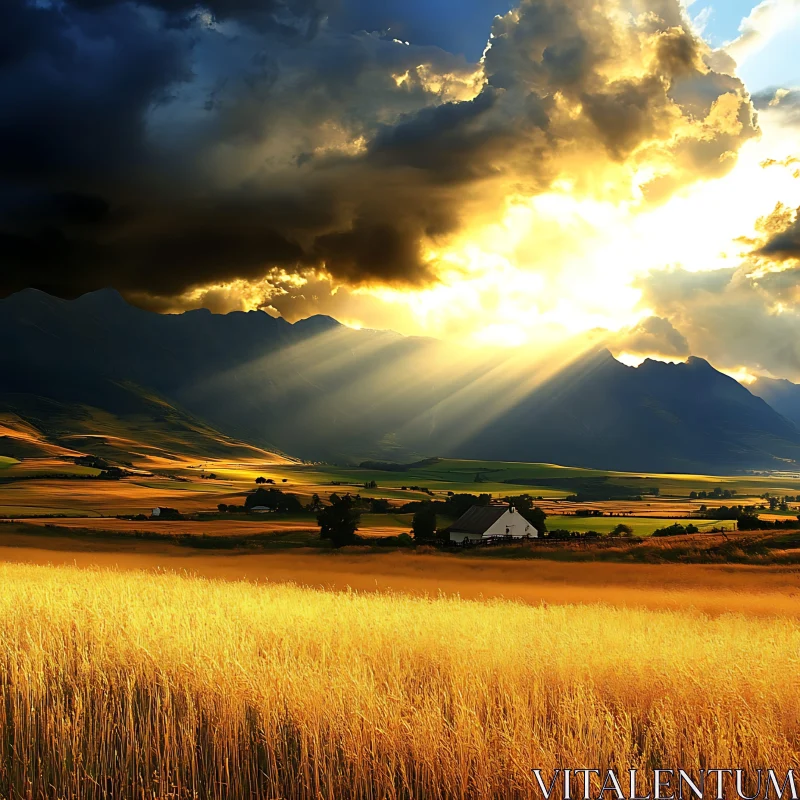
(142, 685)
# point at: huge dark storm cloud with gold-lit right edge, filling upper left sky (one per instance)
(144, 147)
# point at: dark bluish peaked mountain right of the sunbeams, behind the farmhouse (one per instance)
(601, 413)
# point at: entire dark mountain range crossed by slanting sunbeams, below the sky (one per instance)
(98, 375)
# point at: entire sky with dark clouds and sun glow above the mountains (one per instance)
(495, 173)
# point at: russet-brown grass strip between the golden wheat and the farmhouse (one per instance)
(761, 570)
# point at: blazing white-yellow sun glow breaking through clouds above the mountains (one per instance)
(561, 264)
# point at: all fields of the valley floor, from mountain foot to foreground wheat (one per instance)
(227, 656)
